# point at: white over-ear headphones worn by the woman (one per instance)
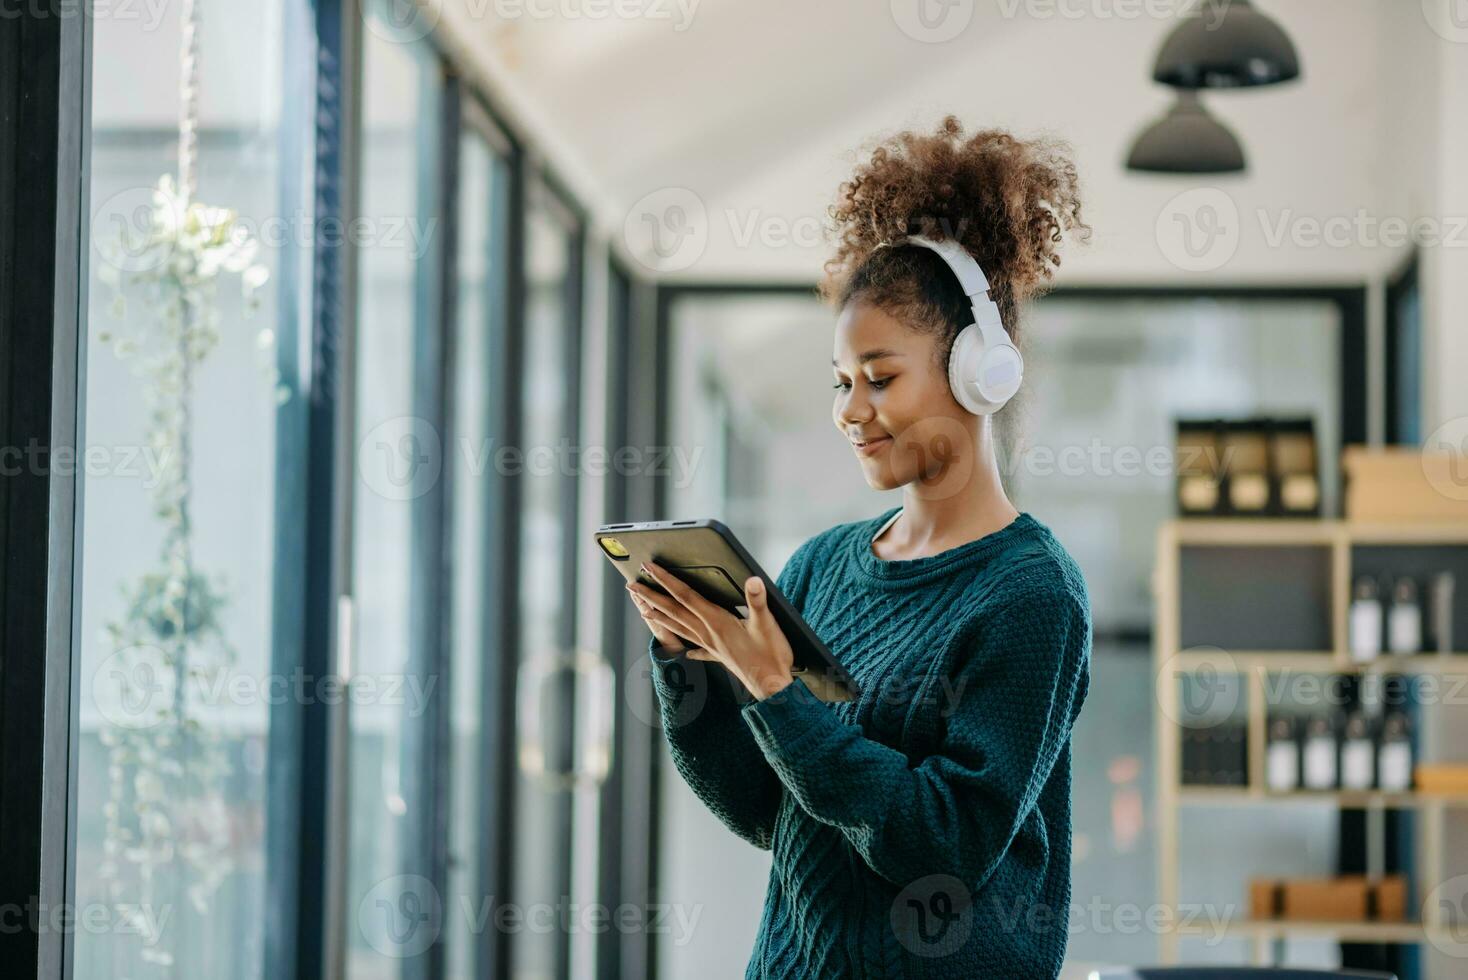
(984, 369)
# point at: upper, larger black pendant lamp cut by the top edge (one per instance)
(1227, 45)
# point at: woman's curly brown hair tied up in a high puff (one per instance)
(1008, 202)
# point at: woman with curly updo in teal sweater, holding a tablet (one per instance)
(923, 830)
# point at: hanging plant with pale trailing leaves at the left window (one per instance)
(165, 815)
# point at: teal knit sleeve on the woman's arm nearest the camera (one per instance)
(1009, 714)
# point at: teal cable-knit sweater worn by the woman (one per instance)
(924, 830)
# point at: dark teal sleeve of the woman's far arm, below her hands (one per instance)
(711, 745)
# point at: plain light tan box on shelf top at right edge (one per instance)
(1403, 483)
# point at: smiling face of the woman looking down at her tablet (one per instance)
(892, 395)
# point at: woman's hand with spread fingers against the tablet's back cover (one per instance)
(755, 651)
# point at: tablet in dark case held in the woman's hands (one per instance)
(708, 557)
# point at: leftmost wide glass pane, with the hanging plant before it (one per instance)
(192, 297)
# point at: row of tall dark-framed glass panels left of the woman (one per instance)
(219, 357)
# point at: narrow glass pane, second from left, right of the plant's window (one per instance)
(393, 903)
